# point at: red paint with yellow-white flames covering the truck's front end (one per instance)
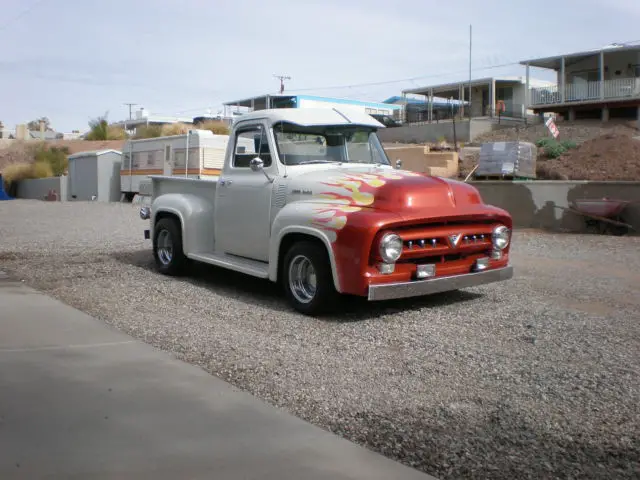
(357, 208)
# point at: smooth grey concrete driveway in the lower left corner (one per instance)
(80, 400)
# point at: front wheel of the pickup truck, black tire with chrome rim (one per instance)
(307, 279)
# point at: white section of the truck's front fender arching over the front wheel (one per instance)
(297, 217)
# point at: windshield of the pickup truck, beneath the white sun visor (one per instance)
(299, 145)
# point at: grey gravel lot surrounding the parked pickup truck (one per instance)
(534, 378)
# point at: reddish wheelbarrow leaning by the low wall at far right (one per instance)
(603, 215)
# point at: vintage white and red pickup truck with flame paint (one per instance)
(308, 198)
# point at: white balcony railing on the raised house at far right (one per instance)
(586, 92)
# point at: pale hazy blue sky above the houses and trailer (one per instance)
(74, 60)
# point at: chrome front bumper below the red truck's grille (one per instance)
(416, 288)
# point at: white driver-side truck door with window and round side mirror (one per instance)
(243, 201)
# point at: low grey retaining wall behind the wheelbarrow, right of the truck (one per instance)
(532, 204)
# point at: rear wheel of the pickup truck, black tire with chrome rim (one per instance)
(167, 247)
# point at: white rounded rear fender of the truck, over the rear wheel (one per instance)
(196, 219)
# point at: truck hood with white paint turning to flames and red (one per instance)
(399, 191)
